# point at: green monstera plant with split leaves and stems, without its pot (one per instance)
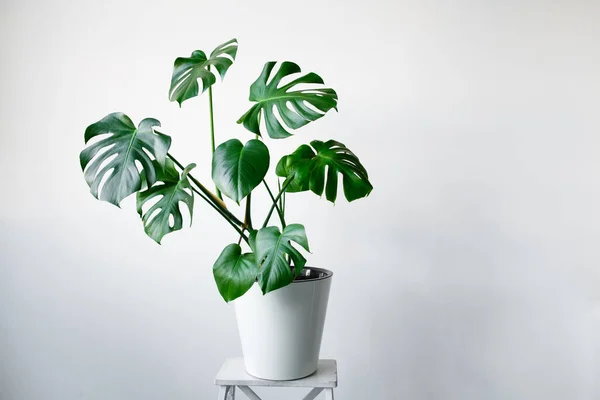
(122, 159)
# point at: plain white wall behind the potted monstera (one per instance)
(471, 272)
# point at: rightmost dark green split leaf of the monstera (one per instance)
(332, 158)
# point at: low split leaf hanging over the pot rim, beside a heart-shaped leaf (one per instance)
(271, 249)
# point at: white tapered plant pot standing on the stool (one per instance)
(281, 331)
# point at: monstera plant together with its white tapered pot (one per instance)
(281, 303)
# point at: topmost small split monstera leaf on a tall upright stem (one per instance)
(187, 71)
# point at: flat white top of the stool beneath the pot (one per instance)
(233, 373)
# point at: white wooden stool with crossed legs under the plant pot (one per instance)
(233, 374)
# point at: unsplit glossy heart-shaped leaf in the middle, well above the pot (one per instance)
(238, 169)
